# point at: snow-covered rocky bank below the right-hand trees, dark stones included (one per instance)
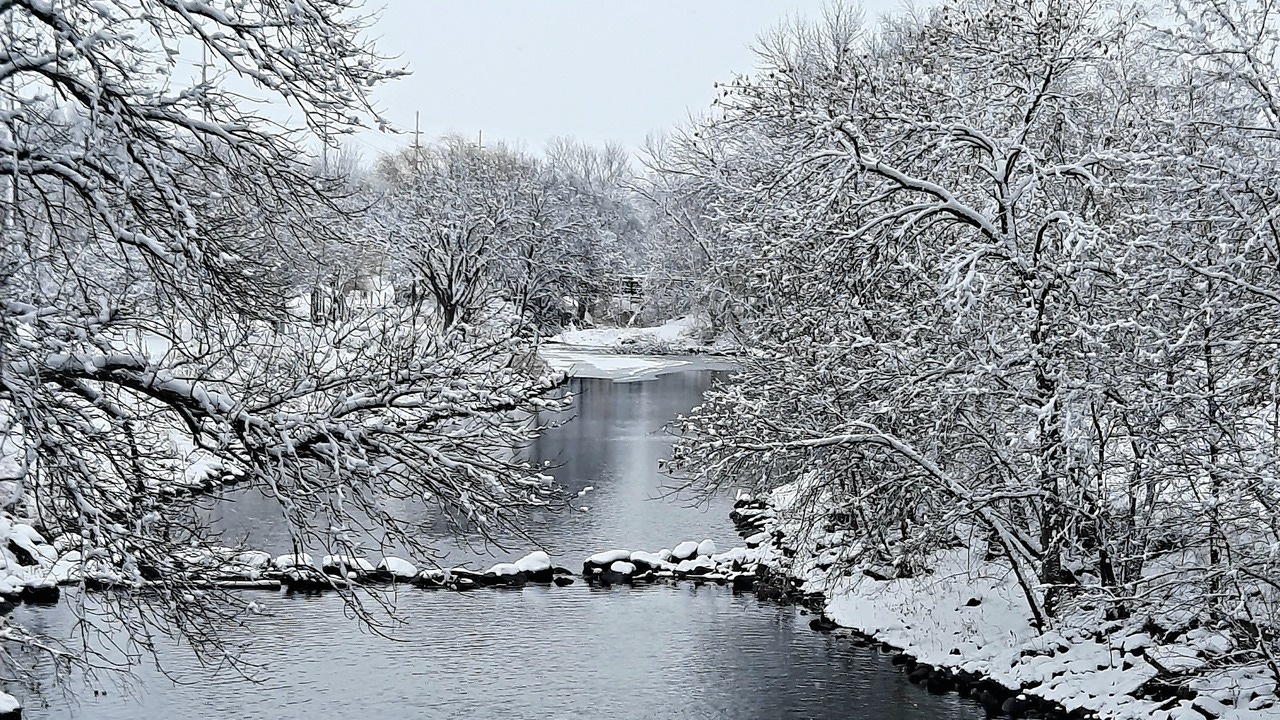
(966, 619)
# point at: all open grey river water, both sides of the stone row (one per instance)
(547, 653)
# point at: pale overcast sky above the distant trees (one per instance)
(527, 71)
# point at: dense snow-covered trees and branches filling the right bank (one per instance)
(1012, 274)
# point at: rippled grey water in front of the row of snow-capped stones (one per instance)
(547, 653)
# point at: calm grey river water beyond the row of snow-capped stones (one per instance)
(611, 440)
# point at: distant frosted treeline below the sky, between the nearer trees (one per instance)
(454, 226)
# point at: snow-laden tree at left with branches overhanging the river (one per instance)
(153, 224)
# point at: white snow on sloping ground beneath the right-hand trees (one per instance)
(970, 616)
